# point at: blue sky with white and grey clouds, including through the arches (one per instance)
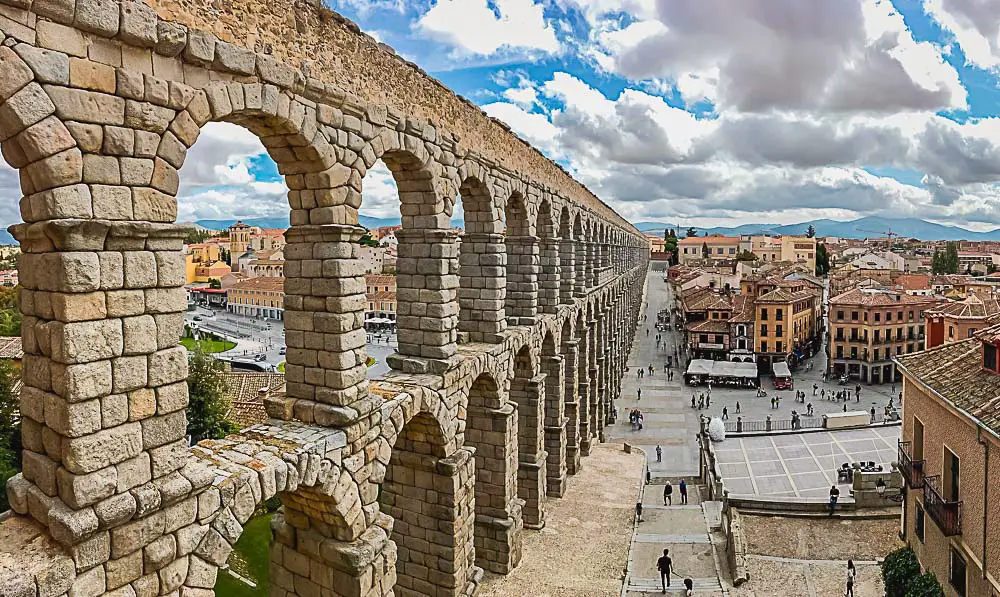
(702, 112)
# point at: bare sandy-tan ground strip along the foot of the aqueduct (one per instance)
(581, 552)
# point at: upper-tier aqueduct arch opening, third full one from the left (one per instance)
(482, 261)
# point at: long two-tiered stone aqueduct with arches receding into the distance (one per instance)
(510, 350)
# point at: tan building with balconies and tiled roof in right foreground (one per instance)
(949, 455)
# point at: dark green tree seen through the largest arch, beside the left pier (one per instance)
(207, 406)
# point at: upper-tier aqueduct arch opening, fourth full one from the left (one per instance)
(522, 262)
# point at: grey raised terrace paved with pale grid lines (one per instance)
(800, 464)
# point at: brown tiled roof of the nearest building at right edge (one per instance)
(954, 371)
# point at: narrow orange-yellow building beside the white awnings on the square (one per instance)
(786, 326)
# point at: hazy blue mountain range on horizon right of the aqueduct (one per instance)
(867, 227)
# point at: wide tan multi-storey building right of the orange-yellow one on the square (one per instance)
(869, 326)
